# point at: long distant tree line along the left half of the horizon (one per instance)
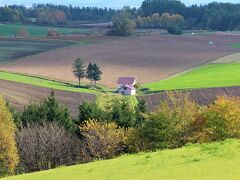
(53, 14)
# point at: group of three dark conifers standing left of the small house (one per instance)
(93, 72)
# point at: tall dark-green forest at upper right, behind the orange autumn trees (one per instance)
(213, 16)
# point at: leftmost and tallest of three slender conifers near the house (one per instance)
(78, 69)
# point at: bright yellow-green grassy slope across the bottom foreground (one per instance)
(207, 161)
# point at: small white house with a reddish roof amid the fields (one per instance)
(126, 85)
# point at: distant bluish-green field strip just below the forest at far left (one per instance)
(7, 30)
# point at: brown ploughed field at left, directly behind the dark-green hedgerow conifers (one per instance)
(20, 95)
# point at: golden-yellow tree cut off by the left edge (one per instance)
(8, 150)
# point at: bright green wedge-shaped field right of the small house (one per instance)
(210, 75)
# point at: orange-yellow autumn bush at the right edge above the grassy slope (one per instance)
(220, 120)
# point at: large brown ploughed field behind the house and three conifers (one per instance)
(149, 58)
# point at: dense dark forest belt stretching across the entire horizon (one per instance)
(213, 16)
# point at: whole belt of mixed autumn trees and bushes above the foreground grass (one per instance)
(47, 137)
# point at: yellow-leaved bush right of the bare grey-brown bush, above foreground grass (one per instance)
(103, 140)
